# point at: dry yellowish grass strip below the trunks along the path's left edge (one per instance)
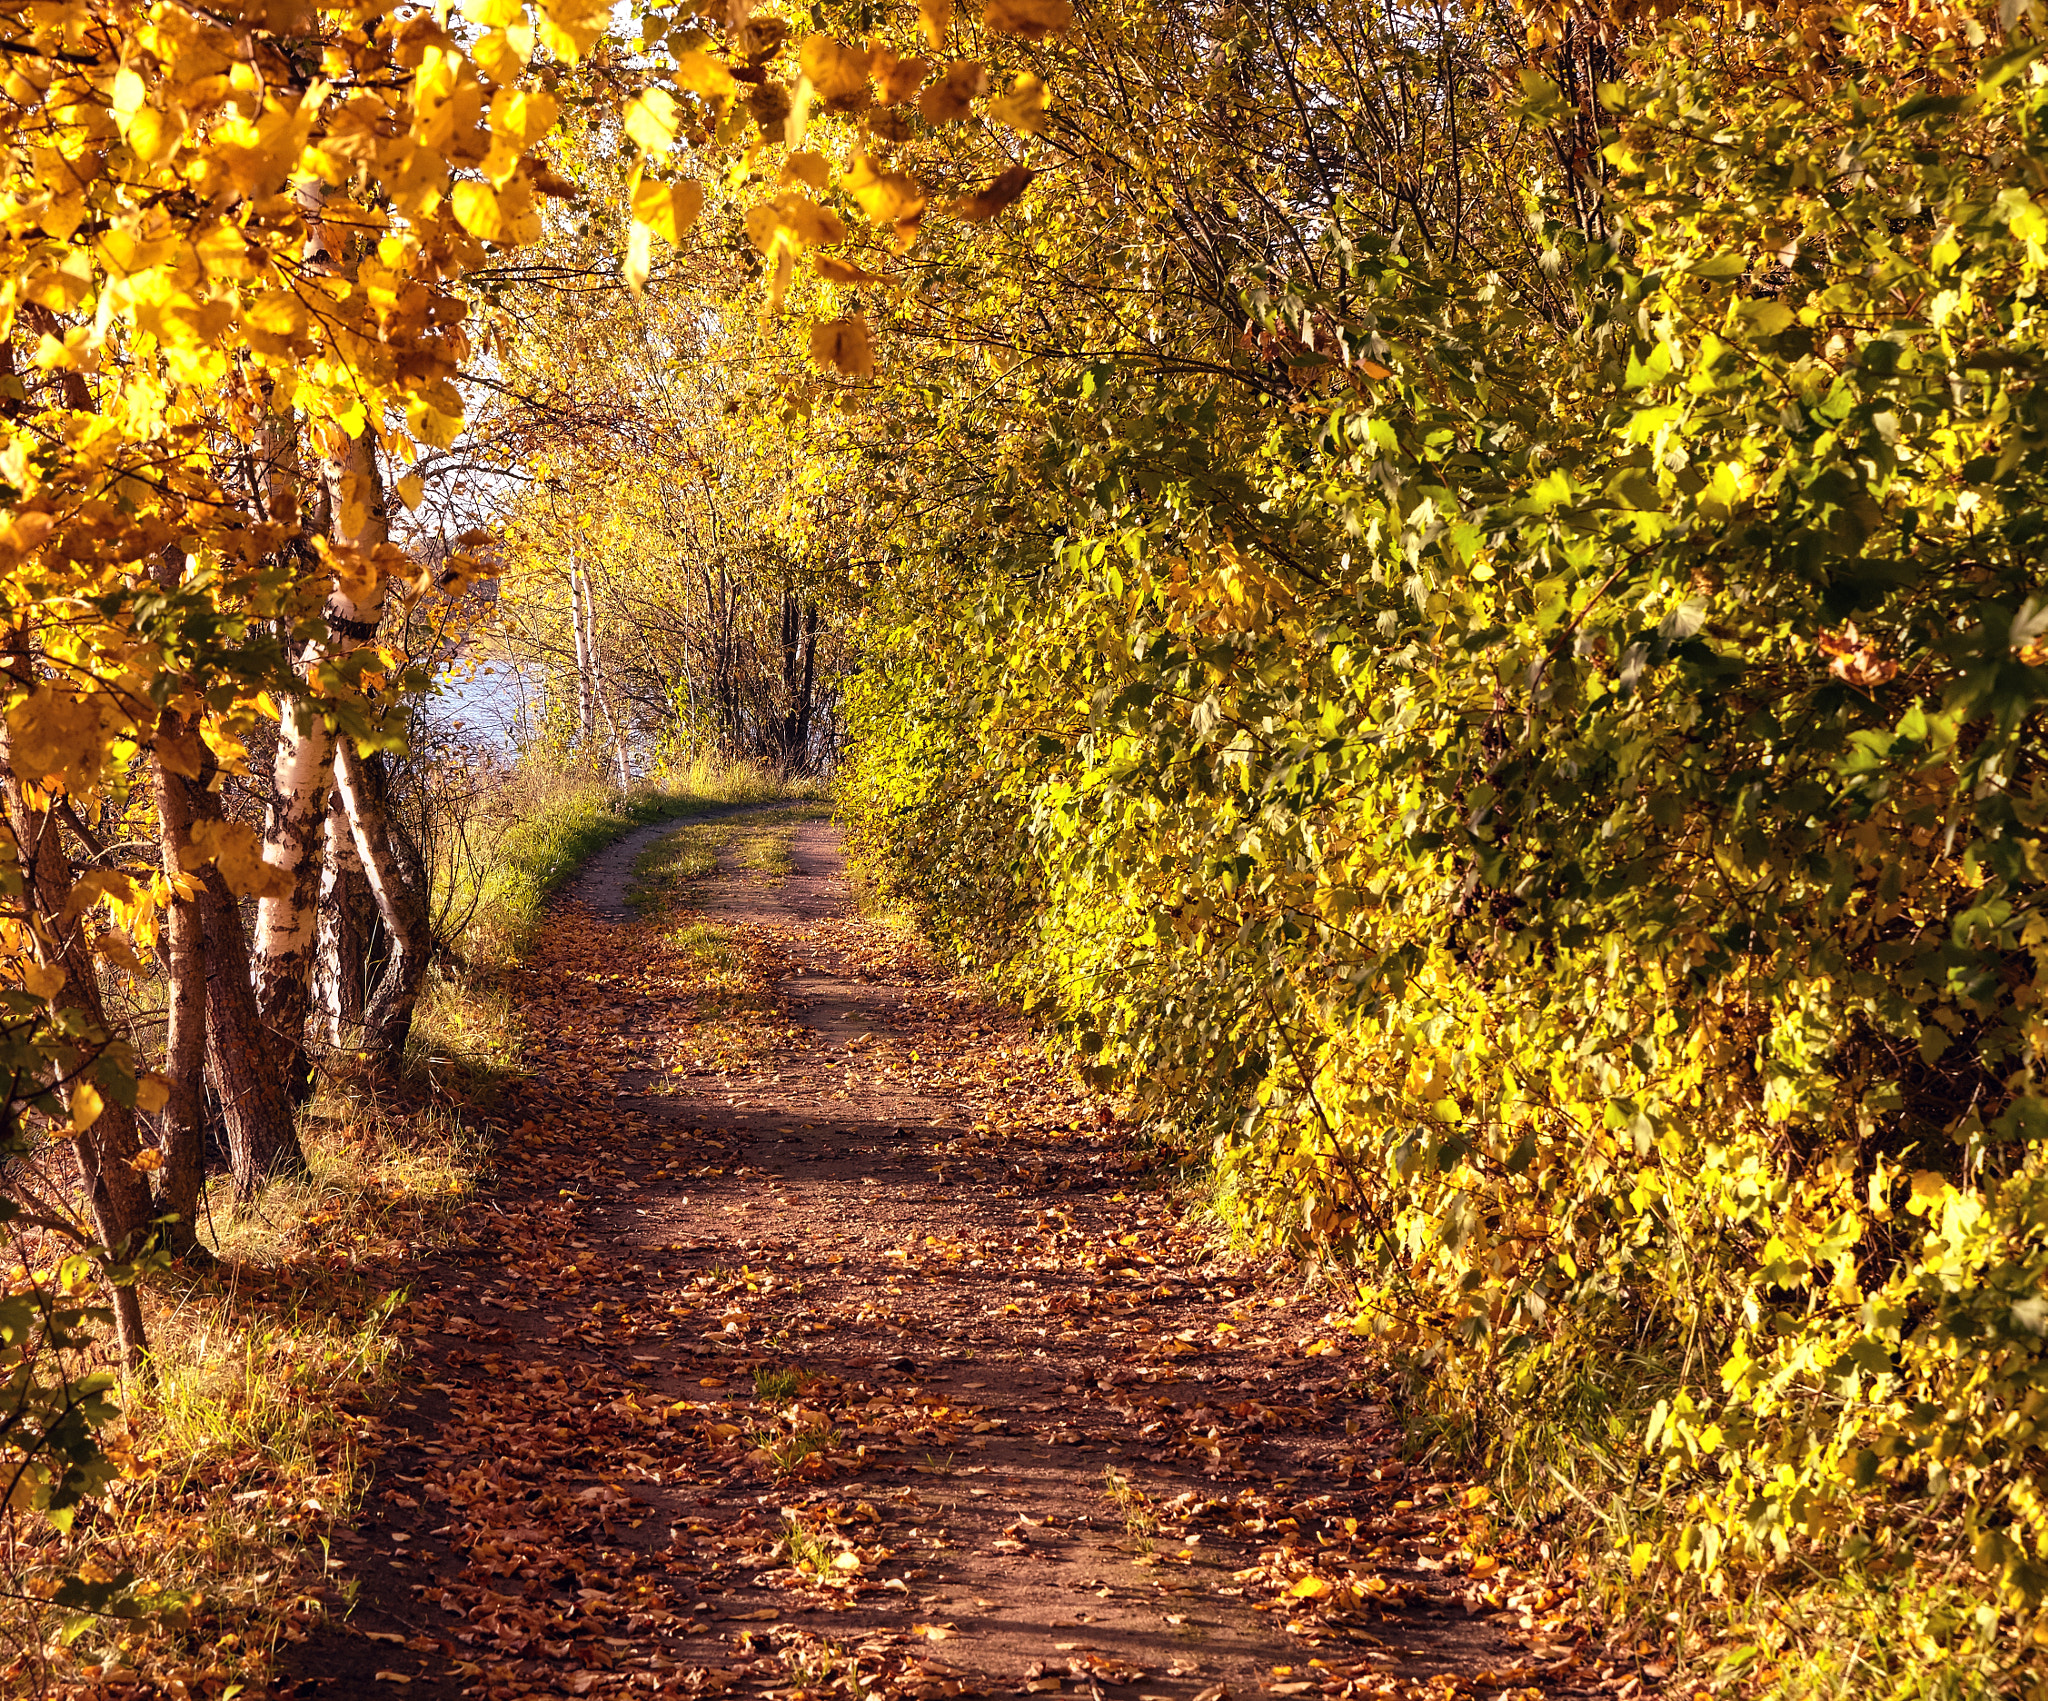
(241, 1452)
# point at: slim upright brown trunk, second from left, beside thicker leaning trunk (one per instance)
(185, 1045)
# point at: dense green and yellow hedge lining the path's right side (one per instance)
(1555, 810)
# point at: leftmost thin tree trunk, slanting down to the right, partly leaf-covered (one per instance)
(118, 1194)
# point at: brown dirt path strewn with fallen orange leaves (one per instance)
(818, 1342)
